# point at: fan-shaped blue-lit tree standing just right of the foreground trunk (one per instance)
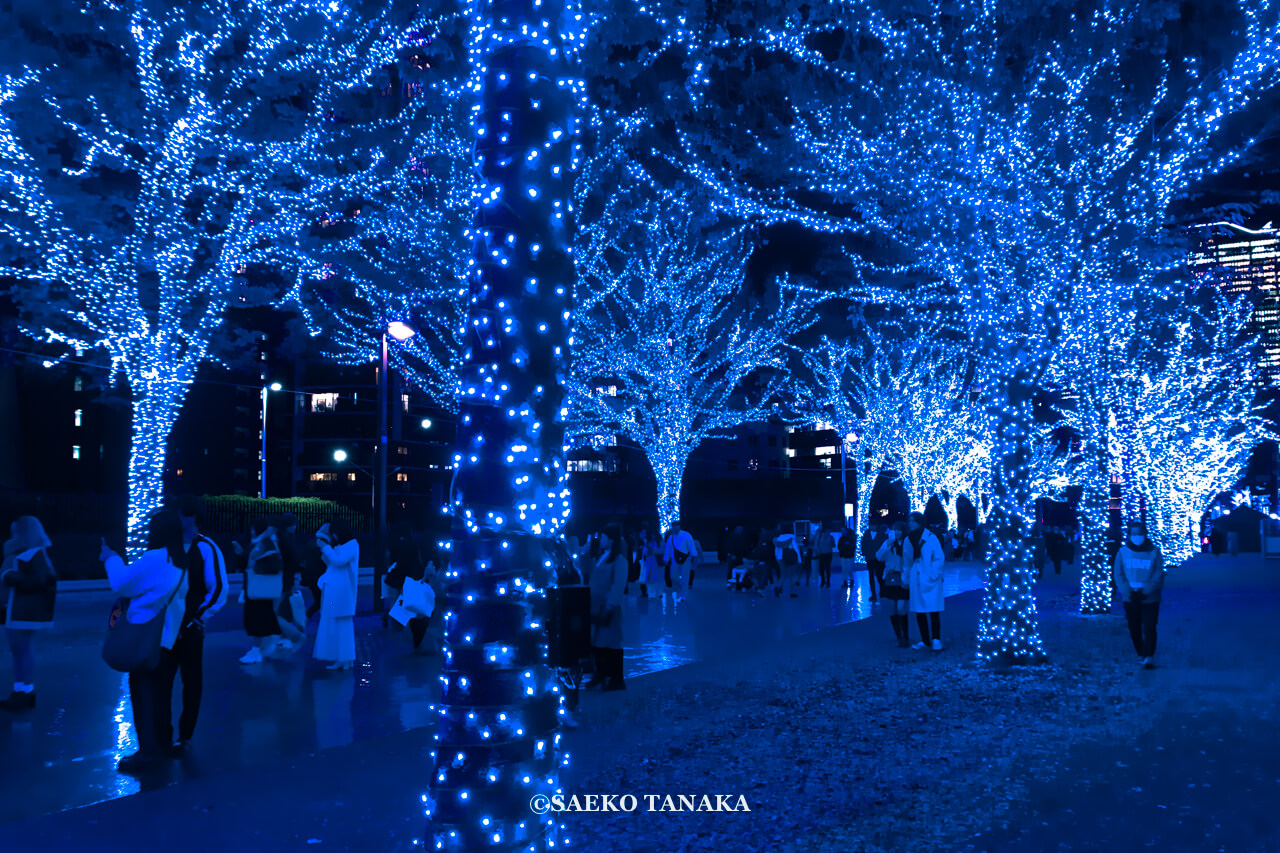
(674, 349)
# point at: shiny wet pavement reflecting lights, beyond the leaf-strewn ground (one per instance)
(63, 755)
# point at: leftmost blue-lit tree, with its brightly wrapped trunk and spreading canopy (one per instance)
(148, 153)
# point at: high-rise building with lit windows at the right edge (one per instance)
(1246, 262)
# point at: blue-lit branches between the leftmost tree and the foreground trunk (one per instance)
(390, 215)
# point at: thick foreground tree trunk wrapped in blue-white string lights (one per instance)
(497, 741)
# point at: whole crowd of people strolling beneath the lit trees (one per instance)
(170, 592)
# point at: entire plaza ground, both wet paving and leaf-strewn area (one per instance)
(838, 740)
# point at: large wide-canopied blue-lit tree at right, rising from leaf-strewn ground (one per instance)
(1026, 158)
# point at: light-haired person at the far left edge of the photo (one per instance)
(30, 591)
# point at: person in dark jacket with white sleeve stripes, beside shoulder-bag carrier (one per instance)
(207, 594)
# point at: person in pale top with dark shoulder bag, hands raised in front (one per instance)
(153, 586)
